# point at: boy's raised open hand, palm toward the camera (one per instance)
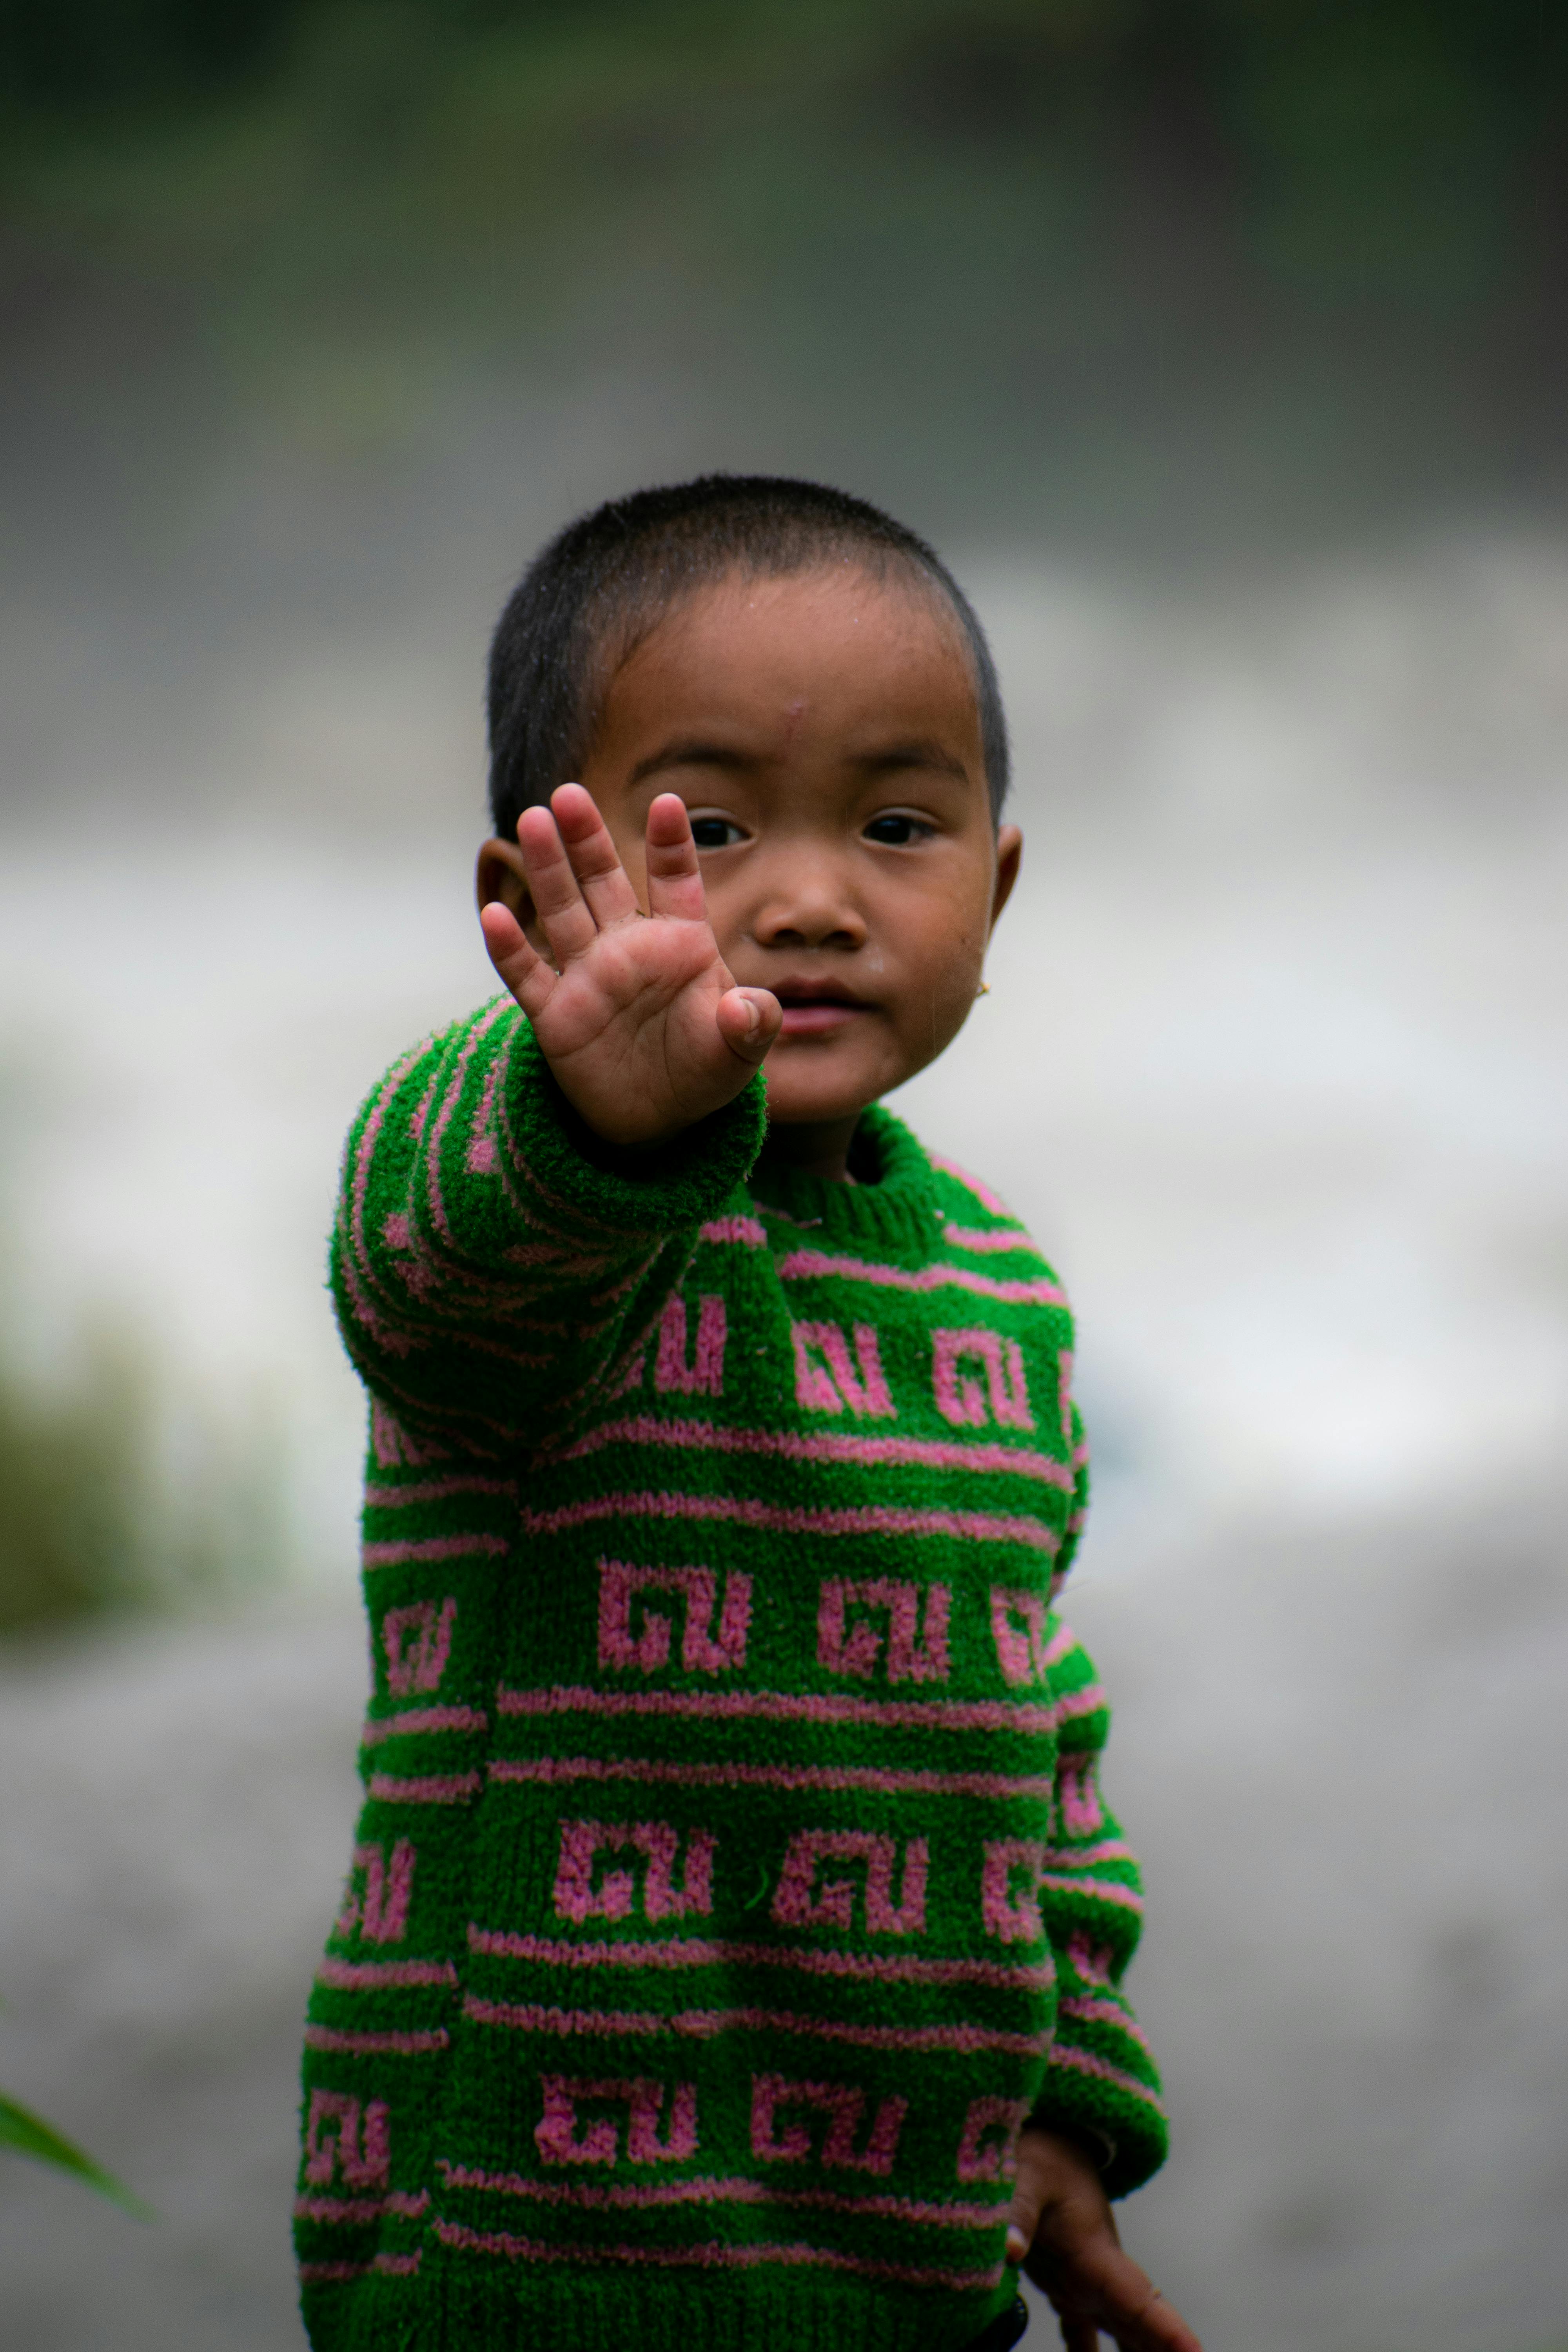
(638, 1015)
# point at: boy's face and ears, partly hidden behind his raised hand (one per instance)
(826, 740)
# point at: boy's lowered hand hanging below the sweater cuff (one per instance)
(1064, 2233)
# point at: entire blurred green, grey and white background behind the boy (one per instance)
(1221, 347)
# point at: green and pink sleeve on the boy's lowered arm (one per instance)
(1101, 2078)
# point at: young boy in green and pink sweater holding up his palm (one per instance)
(735, 1935)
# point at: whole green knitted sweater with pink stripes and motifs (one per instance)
(732, 1878)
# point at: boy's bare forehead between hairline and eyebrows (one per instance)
(829, 648)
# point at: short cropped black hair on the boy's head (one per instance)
(608, 580)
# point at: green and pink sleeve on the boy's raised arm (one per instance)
(497, 1267)
